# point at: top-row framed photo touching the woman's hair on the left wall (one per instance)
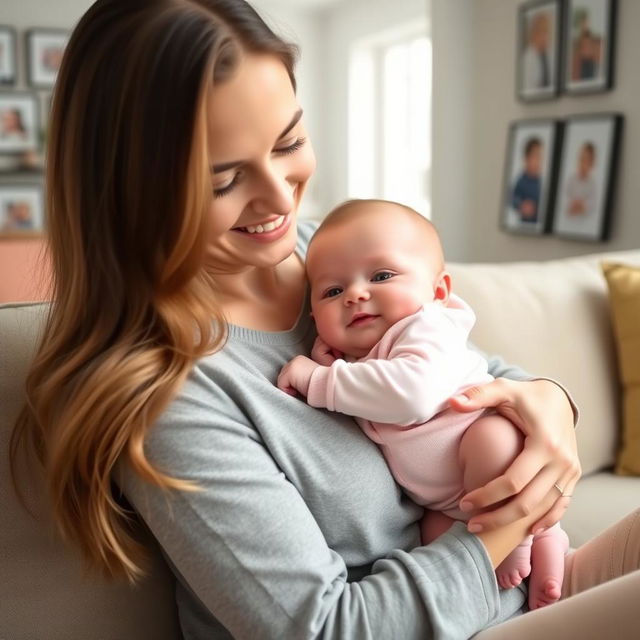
(45, 48)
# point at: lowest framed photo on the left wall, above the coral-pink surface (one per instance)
(21, 210)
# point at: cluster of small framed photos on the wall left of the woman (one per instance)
(23, 120)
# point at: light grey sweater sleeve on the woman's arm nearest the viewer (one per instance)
(251, 551)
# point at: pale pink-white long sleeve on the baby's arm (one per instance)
(426, 364)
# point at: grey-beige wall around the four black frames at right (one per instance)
(486, 31)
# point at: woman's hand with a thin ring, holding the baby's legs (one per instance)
(548, 462)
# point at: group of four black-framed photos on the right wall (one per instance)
(560, 174)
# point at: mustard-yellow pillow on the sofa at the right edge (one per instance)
(624, 298)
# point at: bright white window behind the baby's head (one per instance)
(389, 118)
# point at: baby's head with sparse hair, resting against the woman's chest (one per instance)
(370, 264)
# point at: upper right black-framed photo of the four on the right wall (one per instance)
(589, 46)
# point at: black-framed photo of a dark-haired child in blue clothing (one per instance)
(529, 176)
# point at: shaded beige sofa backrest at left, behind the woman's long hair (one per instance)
(44, 591)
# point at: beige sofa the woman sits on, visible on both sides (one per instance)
(551, 318)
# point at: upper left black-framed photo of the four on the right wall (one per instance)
(539, 49)
